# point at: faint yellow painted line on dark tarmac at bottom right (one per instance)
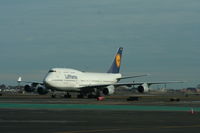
(127, 129)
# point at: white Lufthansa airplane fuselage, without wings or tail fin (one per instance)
(72, 80)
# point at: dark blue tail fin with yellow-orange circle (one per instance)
(117, 62)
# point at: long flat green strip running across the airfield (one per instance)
(103, 107)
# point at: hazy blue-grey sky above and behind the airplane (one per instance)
(161, 38)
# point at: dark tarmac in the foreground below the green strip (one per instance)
(93, 121)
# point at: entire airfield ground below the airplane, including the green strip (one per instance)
(42, 114)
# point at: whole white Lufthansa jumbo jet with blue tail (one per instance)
(86, 83)
